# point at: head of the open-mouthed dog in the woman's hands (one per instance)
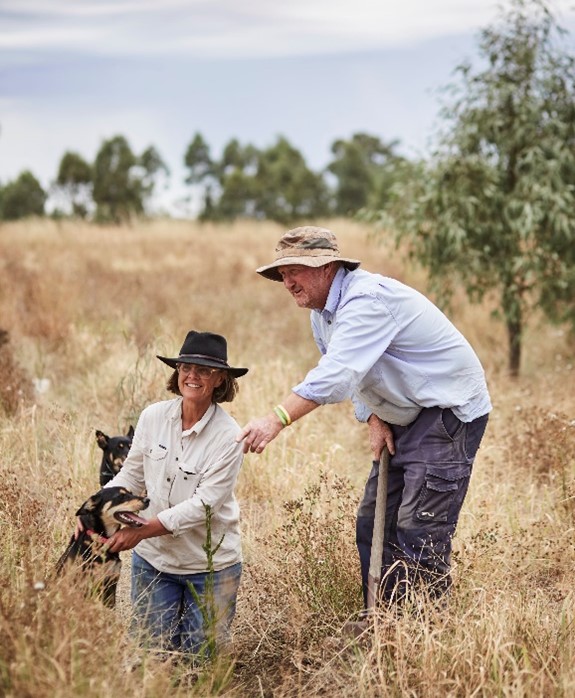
(110, 509)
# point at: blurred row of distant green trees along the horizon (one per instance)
(272, 183)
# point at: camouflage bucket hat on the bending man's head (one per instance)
(308, 245)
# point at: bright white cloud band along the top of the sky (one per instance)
(230, 29)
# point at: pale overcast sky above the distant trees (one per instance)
(76, 72)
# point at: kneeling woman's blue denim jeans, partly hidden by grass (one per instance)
(167, 611)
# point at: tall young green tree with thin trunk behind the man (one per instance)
(495, 206)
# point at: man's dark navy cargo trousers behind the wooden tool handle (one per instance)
(427, 483)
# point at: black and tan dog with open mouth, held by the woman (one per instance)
(102, 515)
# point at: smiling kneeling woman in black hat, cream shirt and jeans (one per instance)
(185, 456)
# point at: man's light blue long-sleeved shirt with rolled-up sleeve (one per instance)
(391, 351)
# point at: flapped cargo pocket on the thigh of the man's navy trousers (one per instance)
(443, 493)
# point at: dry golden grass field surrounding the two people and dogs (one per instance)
(87, 308)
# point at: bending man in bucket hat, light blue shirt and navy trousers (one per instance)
(412, 377)
